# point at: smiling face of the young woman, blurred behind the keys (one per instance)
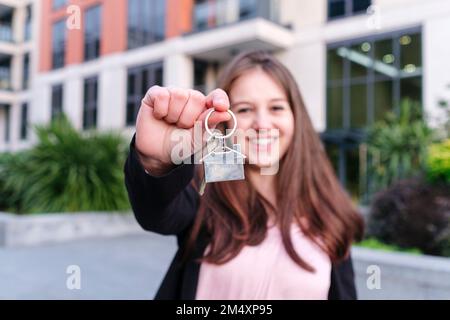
(261, 105)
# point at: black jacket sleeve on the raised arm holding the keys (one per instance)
(165, 204)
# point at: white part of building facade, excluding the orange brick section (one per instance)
(353, 60)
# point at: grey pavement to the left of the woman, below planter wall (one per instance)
(129, 267)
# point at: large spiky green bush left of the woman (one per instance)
(67, 171)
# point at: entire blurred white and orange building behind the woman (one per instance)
(353, 59)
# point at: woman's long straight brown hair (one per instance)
(235, 214)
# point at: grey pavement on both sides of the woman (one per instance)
(132, 267)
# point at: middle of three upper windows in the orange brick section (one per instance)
(92, 33)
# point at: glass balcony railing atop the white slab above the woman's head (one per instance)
(209, 14)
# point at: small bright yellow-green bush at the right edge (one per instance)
(438, 162)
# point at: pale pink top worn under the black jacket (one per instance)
(266, 272)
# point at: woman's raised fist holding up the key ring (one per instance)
(162, 111)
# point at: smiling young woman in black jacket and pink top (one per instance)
(271, 236)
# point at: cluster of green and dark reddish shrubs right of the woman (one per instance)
(407, 210)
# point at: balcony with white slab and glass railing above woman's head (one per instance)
(222, 28)
